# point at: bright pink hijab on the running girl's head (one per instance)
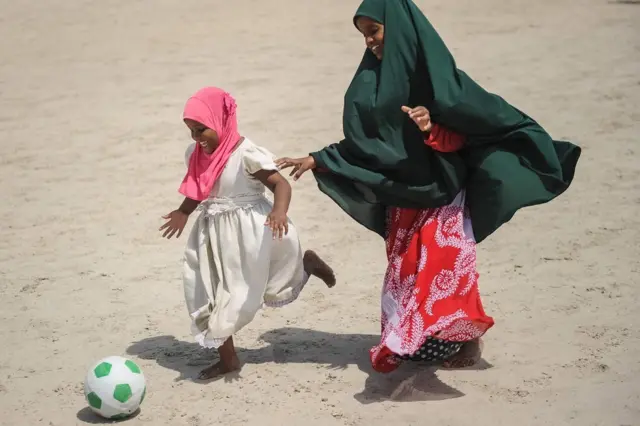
(215, 109)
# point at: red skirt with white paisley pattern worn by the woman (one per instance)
(431, 285)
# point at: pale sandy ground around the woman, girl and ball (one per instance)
(91, 94)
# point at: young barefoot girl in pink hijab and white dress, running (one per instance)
(233, 262)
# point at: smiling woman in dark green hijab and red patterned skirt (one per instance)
(431, 190)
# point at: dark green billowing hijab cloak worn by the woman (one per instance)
(508, 162)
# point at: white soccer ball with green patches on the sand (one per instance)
(115, 387)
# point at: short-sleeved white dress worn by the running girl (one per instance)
(232, 264)
